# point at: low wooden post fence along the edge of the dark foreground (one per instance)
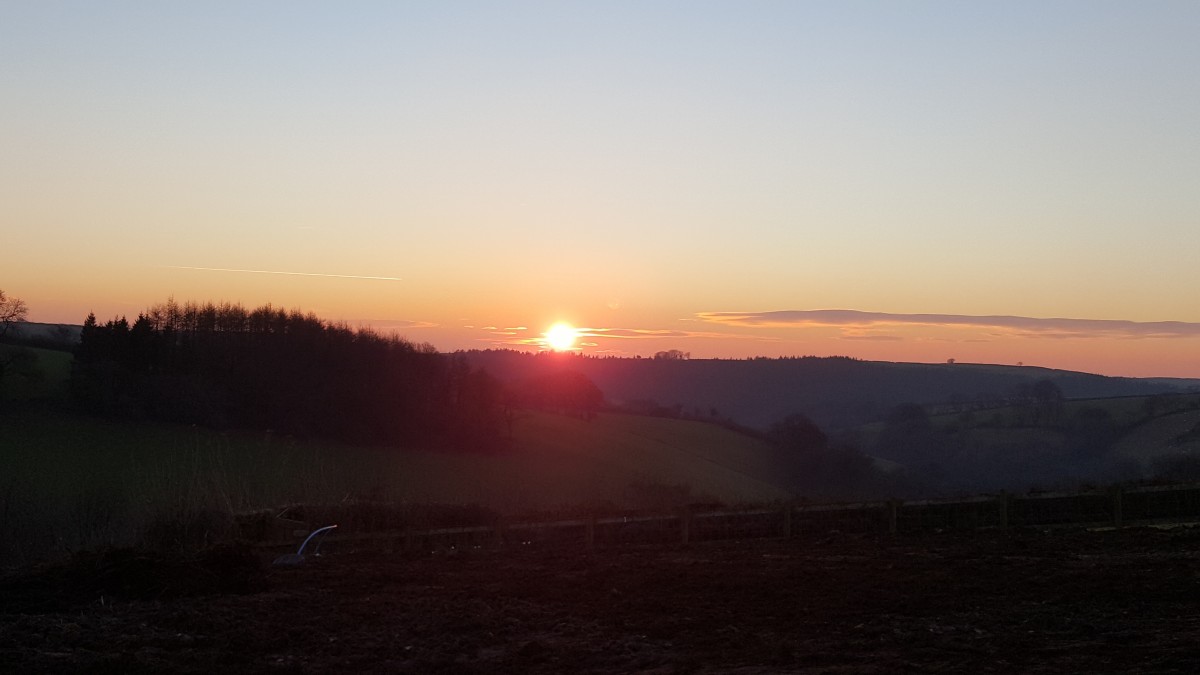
(1117, 507)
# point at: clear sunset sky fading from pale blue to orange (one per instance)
(1011, 182)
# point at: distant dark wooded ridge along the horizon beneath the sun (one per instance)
(838, 393)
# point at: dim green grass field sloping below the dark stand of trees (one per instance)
(70, 482)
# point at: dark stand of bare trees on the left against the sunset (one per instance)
(226, 367)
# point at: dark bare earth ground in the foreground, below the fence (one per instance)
(1028, 602)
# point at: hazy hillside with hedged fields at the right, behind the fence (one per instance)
(1087, 441)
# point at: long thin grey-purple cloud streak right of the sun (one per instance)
(1019, 326)
